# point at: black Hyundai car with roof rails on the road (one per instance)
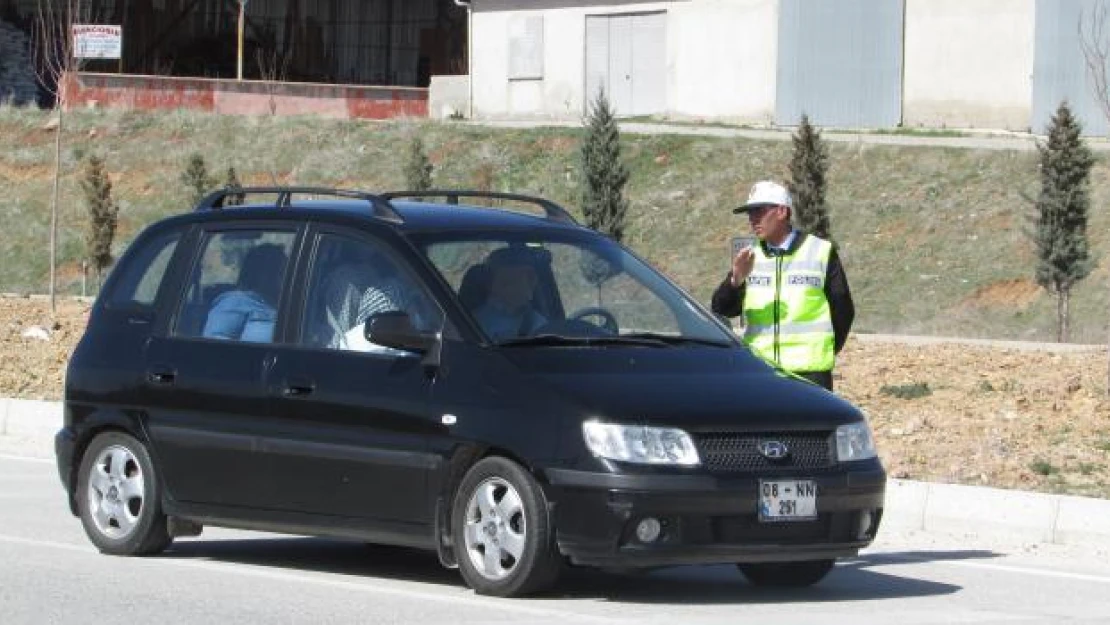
(514, 391)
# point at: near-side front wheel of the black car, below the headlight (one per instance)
(504, 539)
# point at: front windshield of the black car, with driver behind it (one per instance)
(567, 289)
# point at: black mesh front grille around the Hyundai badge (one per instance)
(740, 452)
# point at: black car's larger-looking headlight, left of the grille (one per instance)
(644, 446)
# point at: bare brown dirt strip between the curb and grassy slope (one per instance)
(968, 415)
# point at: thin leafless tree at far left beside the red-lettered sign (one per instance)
(55, 63)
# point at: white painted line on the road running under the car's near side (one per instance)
(248, 571)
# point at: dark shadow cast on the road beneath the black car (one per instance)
(853, 580)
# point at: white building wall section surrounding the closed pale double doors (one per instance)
(721, 58)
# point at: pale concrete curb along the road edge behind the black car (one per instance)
(28, 428)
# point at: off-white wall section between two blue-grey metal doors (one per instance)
(970, 64)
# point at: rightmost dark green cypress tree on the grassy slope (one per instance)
(1062, 210)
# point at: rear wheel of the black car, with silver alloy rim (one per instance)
(119, 498)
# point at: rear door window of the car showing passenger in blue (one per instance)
(235, 289)
